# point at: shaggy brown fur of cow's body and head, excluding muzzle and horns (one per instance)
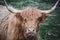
(15, 25)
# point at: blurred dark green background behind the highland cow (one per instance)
(50, 29)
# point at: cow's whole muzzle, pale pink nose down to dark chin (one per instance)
(30, 32)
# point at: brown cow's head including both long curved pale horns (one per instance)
(28, 20)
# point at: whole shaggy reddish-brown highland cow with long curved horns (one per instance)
(23, 24)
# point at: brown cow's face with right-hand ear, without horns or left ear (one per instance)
(31, 19)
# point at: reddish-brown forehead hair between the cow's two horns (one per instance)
(31, 13)
